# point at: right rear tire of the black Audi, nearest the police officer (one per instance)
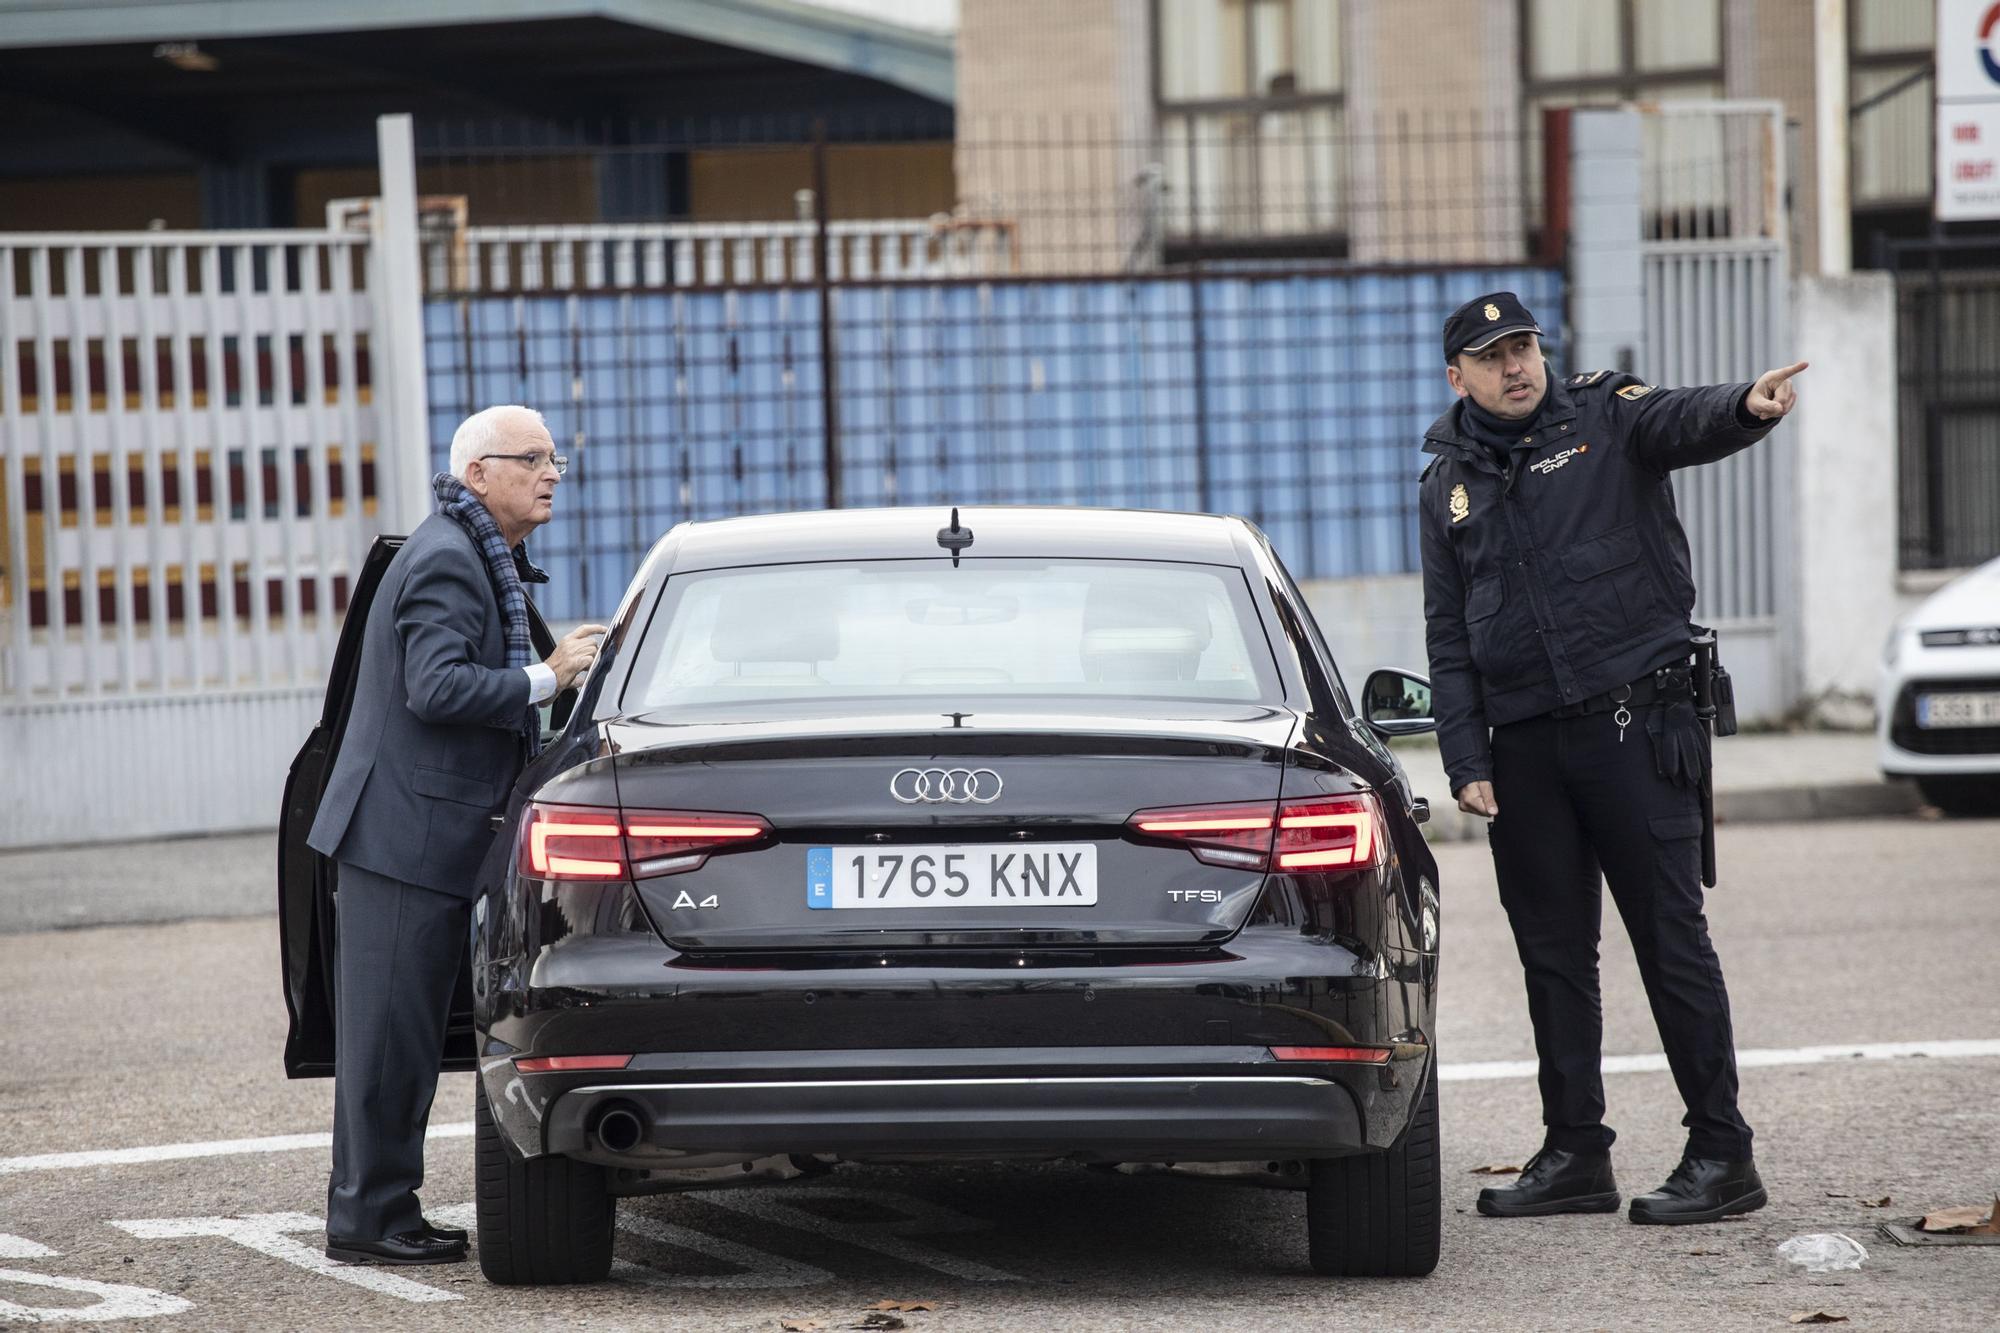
(1381, 1214)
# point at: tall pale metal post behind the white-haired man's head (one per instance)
(397, 295)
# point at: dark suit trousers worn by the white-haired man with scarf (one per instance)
(401, 952)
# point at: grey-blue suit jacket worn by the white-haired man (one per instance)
(437, 732)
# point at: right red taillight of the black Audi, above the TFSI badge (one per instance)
(1305, 834)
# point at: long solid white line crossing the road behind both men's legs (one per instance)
(1473, 1072)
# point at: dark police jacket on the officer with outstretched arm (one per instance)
(1567, 573)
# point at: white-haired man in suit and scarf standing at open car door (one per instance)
(443, 724)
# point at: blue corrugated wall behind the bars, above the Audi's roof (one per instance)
(1301, 399)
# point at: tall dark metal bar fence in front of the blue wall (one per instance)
(1223, 313)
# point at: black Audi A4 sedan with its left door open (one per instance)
(927, 836)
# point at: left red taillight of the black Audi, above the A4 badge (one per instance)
(595, 844)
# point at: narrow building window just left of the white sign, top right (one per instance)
(1891, 103)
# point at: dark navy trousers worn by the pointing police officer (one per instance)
(1577, 800)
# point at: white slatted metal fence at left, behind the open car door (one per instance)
(189, 439)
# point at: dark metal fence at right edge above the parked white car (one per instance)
(1949, 375)
